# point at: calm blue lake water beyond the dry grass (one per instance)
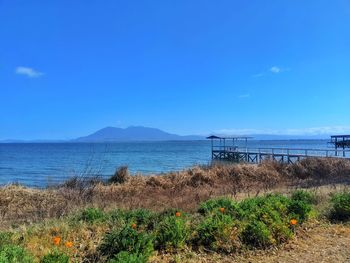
(40, 164)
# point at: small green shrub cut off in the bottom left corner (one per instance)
(14, 254)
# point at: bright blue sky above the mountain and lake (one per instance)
(68, 68)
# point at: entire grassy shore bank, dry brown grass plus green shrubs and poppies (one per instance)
(222, 213)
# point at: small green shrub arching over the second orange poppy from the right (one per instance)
(213, 206)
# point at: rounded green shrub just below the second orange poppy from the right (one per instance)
(218, 233)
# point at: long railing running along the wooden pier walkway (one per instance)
(301, 152)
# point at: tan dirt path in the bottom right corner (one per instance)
(316, 243)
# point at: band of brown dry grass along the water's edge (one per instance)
(183, 189)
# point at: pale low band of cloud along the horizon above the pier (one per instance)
(312, 131)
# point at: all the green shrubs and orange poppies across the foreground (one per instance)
(221, 225)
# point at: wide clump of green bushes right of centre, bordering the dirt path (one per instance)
(256, 222)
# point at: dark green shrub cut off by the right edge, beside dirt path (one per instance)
(340, 210)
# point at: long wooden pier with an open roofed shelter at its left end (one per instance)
(233, 153)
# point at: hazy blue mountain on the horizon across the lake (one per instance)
(134, 133)
